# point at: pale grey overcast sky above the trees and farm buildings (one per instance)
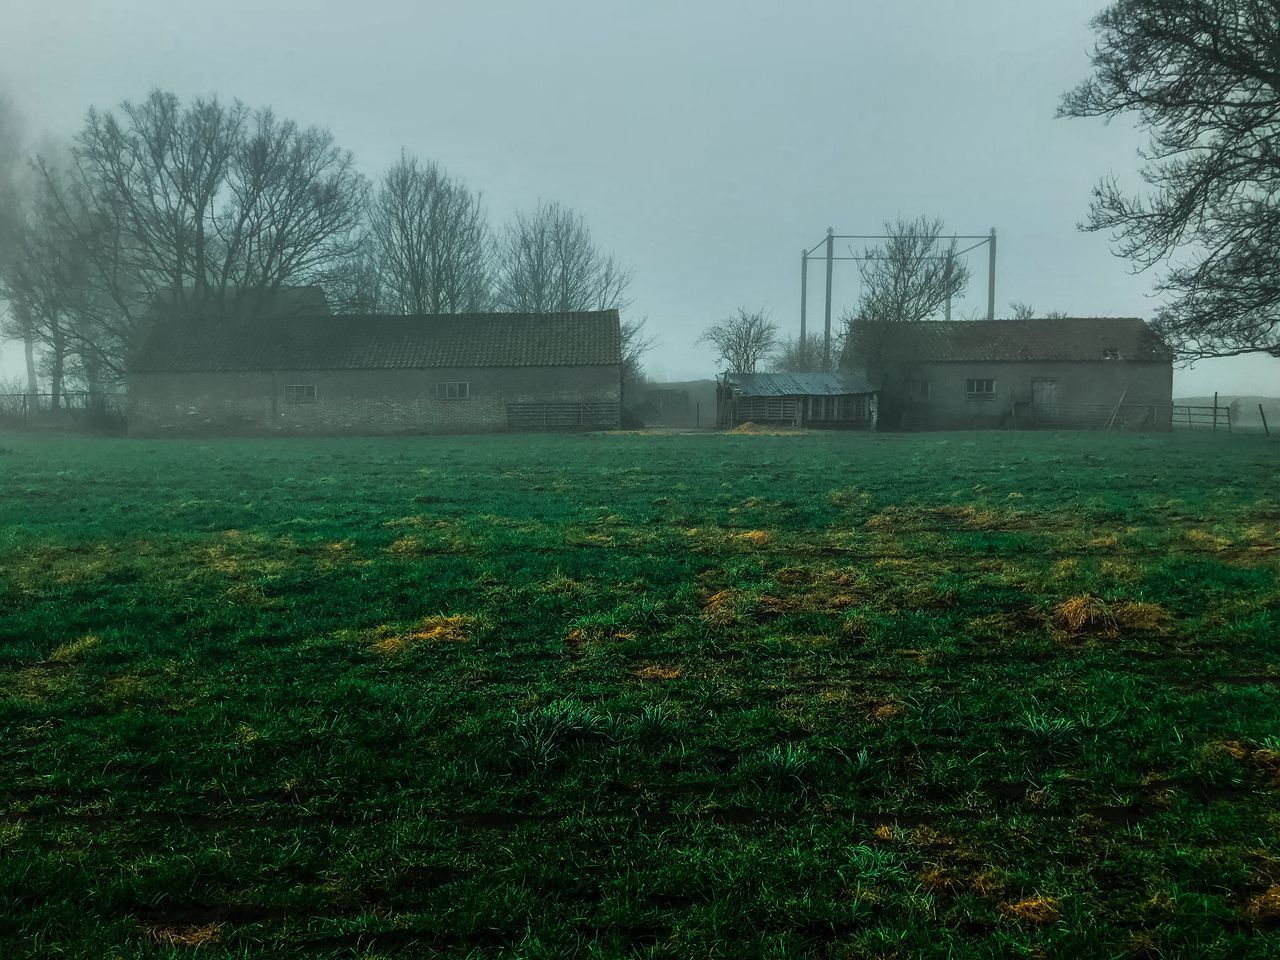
(706, 143)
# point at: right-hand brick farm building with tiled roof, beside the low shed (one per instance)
(1068, 372)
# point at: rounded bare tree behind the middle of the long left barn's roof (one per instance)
(433, 241)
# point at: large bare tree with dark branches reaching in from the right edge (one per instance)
(1204, 79)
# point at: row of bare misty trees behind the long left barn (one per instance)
(212, 205)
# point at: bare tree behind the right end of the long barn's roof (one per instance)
(548, 264)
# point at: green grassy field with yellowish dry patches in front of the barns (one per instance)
(953, 696)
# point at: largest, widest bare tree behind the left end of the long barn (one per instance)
(196, 207)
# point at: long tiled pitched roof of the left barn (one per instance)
(382, 342)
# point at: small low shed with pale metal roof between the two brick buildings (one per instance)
(835, 401)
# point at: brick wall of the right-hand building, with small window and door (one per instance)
(948, 408)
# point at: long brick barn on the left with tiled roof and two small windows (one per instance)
(380, 374)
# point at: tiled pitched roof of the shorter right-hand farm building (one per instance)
(1076, 339)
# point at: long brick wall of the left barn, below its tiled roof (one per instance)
(354, 401)
